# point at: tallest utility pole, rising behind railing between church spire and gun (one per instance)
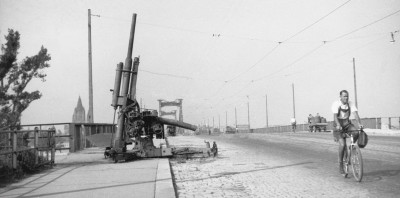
(90, 112)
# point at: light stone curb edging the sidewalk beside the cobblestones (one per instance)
(164, 184)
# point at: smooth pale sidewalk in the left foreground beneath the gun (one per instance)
(88, 174)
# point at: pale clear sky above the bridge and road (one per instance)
(215, 55)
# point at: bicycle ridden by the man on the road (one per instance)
(353, 157)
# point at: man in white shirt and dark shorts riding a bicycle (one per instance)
(342, 110)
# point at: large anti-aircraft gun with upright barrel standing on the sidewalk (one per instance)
(134, 126)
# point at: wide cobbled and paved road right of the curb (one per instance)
(285, 165)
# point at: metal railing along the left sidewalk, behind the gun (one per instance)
(29, 148)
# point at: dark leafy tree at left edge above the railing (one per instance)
(15, 77)
